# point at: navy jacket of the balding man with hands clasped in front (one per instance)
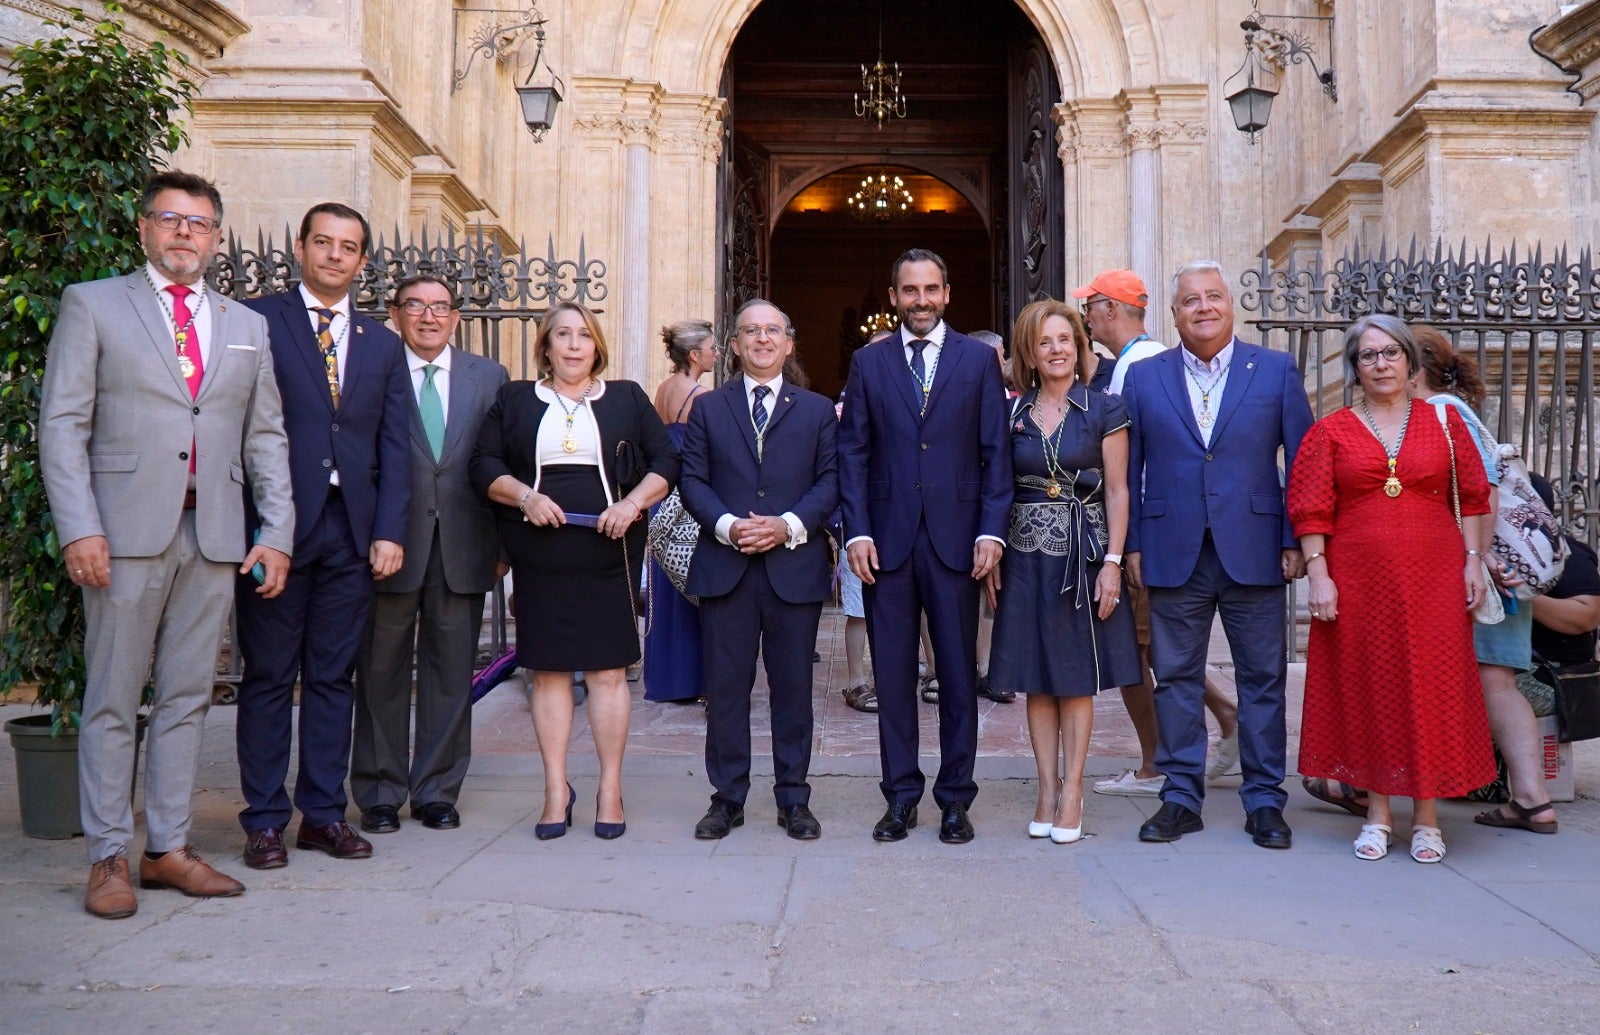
(798, 473)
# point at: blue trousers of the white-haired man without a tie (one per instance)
(1180, 636)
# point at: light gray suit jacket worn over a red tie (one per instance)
(118, 423)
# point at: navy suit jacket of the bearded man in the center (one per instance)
(950, 468)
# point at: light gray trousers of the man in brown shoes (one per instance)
(175, 605)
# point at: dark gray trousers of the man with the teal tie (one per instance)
(441, 629)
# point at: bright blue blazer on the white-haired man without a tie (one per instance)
(1180, 487)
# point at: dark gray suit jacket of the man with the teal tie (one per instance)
(441, 494)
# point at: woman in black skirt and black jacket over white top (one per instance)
(575, 463)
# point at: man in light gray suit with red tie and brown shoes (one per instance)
(159, 402)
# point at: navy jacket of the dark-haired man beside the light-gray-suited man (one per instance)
(367, 439)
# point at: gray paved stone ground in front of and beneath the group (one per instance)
(486, 930)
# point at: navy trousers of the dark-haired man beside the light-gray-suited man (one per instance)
(313, 633)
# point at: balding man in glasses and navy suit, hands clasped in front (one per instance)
(761, 474)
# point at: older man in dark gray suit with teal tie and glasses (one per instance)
(436, 601)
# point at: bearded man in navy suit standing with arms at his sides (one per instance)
(926, 479)
